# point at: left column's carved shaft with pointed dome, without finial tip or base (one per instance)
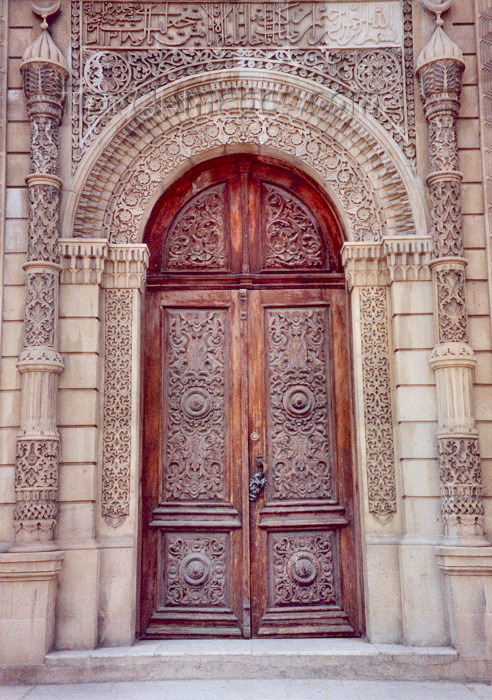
(36, 478)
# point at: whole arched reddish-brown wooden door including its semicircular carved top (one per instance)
(248, 522)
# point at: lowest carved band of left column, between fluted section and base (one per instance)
(36, 484)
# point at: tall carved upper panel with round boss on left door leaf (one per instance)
(195, 439)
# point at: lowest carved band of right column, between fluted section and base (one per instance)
(461, 481)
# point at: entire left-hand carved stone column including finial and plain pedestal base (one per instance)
(28, 572)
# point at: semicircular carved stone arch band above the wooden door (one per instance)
(151, 143)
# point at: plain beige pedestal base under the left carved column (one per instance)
(27, 605)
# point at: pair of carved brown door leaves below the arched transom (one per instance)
(248, 524)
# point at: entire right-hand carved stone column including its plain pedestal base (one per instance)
(465, 557)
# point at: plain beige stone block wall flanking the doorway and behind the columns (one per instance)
(404, 586)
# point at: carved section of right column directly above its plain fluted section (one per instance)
(451, 305)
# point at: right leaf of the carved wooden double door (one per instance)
(302, 550)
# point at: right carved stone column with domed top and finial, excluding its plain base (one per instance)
(439, 69)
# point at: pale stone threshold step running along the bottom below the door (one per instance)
(254, 659)
